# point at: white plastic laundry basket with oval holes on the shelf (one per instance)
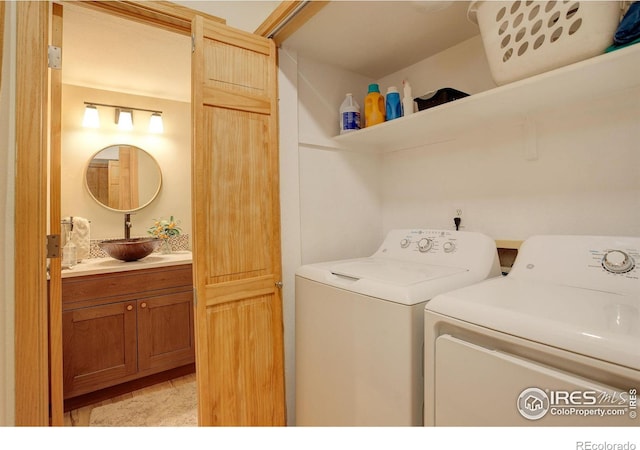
(525, 38)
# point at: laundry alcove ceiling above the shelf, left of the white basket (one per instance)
(377, 38)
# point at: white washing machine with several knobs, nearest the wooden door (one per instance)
(359, 325)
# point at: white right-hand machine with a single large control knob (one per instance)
(556, 342)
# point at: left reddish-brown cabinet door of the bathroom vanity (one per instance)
(99, 346)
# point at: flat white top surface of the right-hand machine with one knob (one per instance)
(593, 323)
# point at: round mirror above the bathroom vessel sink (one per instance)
(123, 178)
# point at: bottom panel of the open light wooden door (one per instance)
(245, 389)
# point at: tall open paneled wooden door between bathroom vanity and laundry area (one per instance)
(235, 203)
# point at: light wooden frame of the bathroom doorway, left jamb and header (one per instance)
(32, 334)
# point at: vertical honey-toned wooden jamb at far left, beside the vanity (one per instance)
(38, 355)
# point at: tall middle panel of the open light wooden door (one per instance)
(240, 213)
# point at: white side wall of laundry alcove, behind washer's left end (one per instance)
(339, 198)
